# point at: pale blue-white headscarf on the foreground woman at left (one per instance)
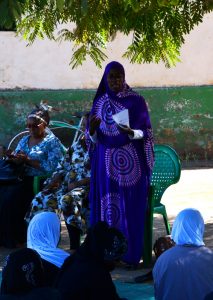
(43, 235)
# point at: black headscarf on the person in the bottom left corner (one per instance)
(23, 271)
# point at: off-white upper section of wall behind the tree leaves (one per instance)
(45, 64)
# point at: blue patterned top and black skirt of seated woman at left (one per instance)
(16, 198)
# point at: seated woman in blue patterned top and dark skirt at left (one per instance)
(39, 153)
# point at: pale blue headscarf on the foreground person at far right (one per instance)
(188, 228)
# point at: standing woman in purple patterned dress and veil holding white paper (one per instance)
(121, 160)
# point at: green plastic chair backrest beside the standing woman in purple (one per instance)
(166, 171)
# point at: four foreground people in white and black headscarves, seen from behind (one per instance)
(43, 270)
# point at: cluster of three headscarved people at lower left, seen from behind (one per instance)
(44, 271)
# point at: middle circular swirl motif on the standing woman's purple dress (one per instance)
(122, 165)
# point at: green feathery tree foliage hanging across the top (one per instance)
(158, 27)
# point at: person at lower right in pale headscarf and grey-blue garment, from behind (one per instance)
(185, 271)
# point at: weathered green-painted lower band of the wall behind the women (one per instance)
(181, 117)
